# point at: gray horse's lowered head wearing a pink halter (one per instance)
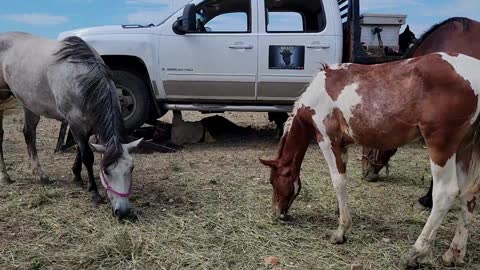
(117, 178)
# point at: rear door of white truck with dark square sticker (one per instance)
(295, 39)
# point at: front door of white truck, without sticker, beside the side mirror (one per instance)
(219, 60)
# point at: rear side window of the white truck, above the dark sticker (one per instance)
(305, 16)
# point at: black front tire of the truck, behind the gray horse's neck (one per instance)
(134, 98)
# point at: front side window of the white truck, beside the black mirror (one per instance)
(224, 16)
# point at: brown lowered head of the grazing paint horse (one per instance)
(285, 180)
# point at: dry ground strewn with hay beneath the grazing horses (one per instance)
(208, 207)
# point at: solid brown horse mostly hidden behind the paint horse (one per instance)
(457, 34)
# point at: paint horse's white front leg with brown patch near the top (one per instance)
(336, 157)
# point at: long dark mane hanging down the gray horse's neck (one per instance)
(100, 97)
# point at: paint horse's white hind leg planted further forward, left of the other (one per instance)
(445, 190)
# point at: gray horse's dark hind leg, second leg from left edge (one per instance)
(30, 132)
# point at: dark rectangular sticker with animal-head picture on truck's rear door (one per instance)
(286, 57)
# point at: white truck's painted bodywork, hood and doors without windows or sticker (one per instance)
(221, 67)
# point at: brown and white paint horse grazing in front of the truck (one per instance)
(386, 106)
